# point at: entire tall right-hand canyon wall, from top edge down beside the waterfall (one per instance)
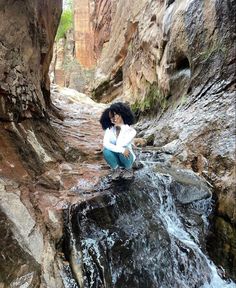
(175, 61)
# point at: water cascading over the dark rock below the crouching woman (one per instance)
(137, 234)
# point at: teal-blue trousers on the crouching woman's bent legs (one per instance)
(115, 160)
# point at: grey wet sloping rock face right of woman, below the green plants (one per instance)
(201, 136)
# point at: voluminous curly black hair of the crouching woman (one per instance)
(119, 108)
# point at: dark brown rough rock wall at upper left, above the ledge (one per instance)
(26, 51)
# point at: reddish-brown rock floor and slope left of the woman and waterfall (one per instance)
(43, 170)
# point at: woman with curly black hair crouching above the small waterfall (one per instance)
(118, 137)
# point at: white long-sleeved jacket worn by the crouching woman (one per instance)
(124, 139)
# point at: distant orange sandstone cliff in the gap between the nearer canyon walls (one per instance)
(75, 55)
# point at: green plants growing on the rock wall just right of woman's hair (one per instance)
(153, 102)
